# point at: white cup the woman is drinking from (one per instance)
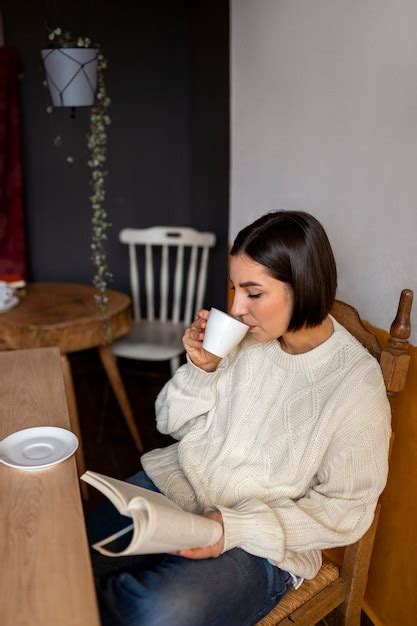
(223, 333)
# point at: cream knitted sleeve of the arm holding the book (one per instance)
(338, 507)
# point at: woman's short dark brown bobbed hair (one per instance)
(295, 249)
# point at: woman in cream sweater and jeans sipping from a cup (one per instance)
(284, 442)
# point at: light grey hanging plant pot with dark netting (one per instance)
(71, 74)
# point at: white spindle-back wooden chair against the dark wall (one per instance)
(172, 295)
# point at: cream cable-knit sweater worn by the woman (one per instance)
(292, 449)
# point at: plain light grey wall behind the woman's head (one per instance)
(324, 118)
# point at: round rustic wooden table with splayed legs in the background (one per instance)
(66, 315)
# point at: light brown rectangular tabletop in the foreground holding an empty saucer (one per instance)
(46, 577)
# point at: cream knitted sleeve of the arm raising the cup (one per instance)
(186, 399)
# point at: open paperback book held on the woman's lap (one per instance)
(157, 524)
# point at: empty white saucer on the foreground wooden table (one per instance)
(36, 448)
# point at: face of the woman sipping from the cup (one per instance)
(261, 301)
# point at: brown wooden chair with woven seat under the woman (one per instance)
(339, 590)
